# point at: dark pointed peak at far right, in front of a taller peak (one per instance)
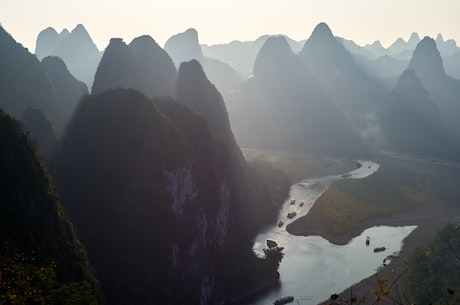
(411, 122)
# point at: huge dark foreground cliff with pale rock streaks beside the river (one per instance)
(153, 195)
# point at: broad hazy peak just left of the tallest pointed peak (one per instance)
(284, 108)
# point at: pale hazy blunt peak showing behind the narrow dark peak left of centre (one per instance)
(185, 46)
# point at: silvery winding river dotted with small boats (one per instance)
(312, 268)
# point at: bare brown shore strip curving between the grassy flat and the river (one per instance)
(429, 220)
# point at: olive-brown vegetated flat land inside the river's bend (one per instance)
(397, 186)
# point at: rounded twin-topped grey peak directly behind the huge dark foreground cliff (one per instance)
(141, 65)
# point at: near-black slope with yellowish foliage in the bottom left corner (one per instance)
(34, 227)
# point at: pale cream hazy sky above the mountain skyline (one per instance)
(220, 21)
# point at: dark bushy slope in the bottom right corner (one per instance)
(435, 275)
